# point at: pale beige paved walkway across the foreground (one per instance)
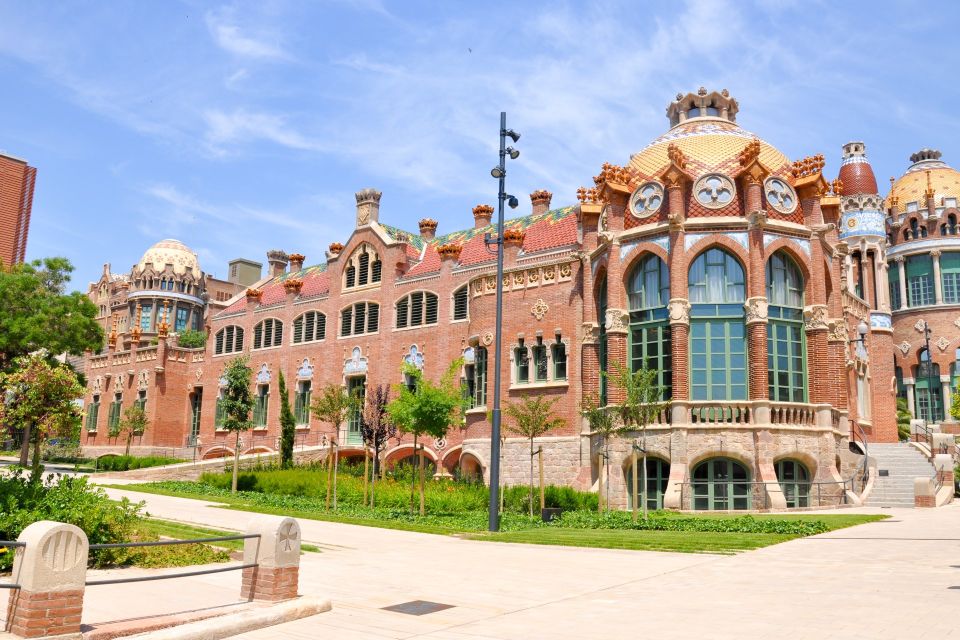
(894, 579)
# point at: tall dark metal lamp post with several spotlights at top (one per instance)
(499, 172)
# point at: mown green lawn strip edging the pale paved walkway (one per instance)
(517, 528)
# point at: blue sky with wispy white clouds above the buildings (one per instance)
(243, 127)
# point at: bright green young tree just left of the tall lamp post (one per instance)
(425, 408)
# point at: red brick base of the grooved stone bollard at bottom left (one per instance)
(39, 615)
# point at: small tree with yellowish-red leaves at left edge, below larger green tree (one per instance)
(40, 399)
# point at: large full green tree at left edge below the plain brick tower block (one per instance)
(37, 313)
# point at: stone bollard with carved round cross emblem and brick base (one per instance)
(277, 556)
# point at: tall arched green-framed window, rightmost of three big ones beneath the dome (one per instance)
(786, 345)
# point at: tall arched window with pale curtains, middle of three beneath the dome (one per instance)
(718, 346)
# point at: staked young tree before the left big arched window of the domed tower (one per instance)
(642, 405)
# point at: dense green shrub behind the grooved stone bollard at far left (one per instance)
(70, 500)
